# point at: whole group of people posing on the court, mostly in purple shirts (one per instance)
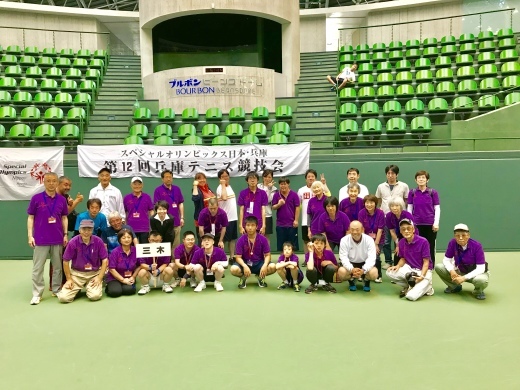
(357, 225)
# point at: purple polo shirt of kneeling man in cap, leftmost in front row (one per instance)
(81, 254)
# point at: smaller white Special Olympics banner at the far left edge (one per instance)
(22, 170)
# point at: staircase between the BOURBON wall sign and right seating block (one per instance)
(316, 103)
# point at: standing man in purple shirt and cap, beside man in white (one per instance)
(139, 208)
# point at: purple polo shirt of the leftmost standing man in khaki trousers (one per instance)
(43, 207)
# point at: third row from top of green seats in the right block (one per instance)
(440, 62)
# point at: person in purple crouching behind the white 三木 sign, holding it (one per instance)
(156, 269)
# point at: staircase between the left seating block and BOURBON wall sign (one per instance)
(115, 103)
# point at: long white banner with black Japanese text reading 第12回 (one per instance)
(186, 160)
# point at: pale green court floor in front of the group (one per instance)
(263, 338)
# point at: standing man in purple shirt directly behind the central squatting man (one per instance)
(252, 202)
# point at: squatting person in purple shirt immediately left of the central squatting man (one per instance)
(208, 264)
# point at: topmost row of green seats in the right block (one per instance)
(429, 42)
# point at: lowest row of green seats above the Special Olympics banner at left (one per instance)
(44, 132)
